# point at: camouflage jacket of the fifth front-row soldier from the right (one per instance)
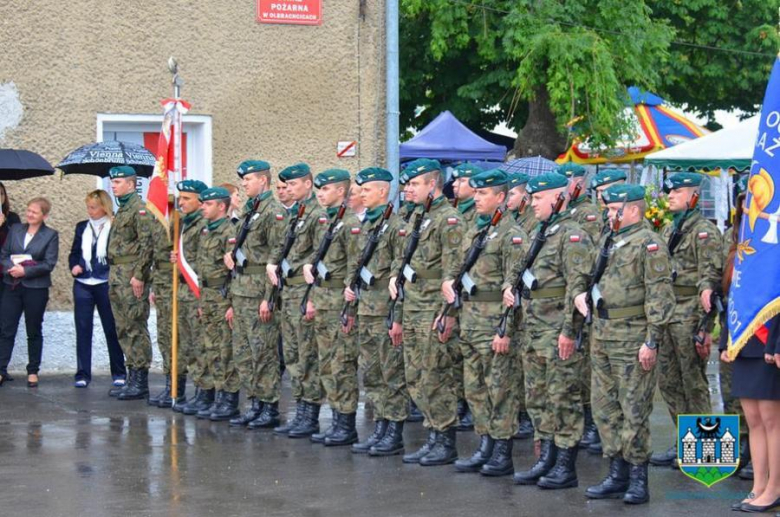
(373, 300)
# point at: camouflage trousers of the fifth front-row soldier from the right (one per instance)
(383, 370)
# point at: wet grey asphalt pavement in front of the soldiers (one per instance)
(69, 452)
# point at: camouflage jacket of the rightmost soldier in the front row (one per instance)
(638, 275)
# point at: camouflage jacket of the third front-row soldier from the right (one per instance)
(507, 243)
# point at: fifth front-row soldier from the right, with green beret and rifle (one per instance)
(381, 355)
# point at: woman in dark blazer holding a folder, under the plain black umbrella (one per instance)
(28, 258)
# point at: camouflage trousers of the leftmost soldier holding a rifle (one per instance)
(255, 350)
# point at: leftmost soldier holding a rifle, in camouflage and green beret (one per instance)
(255, 328)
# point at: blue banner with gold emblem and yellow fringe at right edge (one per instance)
(754, 297)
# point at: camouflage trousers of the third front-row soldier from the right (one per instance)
(491, 385)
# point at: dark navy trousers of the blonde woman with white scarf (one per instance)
(86, 298)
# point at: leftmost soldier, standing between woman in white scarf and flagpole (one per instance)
(130, 256)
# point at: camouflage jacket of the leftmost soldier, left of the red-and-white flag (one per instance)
(131, 239)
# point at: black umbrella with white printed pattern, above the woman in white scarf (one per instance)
(96, 159)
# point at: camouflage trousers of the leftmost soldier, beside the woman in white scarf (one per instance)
(131, 315)
